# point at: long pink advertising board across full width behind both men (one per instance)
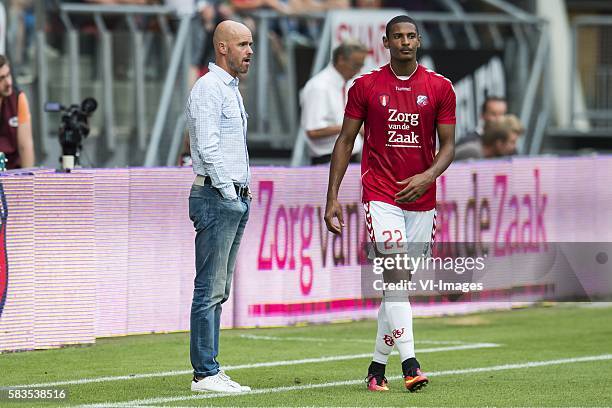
(110, 252)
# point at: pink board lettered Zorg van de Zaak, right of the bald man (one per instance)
(291, 270)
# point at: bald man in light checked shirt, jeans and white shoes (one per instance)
(220, 199)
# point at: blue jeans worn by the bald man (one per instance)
(219, 225)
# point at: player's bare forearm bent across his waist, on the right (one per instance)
(418, 184)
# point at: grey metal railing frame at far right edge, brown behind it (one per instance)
(592, 72)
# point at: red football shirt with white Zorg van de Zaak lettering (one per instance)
(400, 118)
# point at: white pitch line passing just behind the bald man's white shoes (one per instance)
(247, 366)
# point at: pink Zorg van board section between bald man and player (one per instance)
(290, 268)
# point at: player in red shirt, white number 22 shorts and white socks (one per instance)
(402, 105)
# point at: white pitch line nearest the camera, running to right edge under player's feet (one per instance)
(274, 390)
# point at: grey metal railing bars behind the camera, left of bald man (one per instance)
(138, 46)
